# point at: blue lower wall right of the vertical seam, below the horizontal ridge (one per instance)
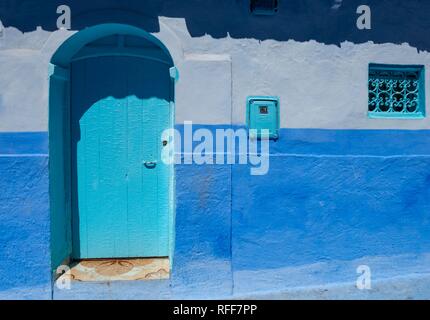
(324, 211)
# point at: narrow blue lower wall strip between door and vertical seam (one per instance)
(202, 259)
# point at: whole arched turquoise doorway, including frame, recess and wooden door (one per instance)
(111, 97)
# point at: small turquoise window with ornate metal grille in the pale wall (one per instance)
(396, 91)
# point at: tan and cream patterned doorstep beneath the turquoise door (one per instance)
(107, 270)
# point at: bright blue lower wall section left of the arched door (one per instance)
(25, 255)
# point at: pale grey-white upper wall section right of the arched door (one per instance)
(320, 86)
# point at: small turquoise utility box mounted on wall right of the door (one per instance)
(263, 113)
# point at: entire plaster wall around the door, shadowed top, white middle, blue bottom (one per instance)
(333, 199)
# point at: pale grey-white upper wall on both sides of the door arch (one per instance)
(320, 85)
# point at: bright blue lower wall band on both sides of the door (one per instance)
(332, 200)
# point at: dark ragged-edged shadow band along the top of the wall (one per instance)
(326, 21)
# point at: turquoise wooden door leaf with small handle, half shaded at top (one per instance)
(120, 187)
